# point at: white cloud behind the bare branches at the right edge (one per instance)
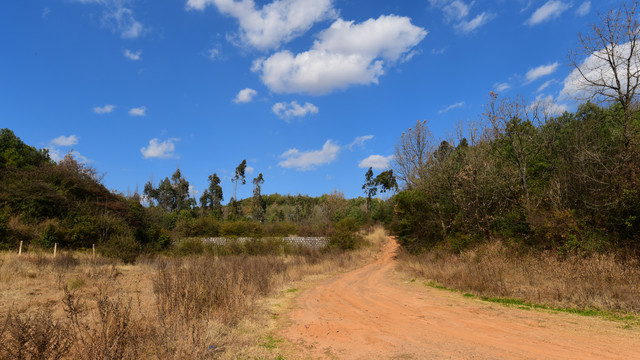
(597, 70)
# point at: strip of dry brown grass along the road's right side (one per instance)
(604, 281)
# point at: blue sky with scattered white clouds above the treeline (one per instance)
(310, 92)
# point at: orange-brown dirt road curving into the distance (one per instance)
(369, 313)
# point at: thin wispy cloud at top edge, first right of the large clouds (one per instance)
(457, 12)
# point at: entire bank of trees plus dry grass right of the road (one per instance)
(529, 203)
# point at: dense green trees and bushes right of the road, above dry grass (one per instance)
(569, 183)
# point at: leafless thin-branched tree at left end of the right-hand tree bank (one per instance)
(412, 153)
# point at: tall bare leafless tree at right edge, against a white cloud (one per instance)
(607, 62)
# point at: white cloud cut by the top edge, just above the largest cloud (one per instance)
(275, 23)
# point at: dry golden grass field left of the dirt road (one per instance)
(199, 307)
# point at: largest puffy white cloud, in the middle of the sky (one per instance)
(345, 54)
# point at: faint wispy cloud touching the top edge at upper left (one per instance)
(118, 17)
